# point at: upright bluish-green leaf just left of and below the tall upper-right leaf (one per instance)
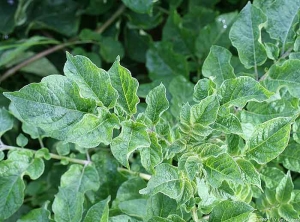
(217, 65)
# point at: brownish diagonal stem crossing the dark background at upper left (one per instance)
(73, 41)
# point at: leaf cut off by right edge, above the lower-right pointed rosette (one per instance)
(290, 157)
